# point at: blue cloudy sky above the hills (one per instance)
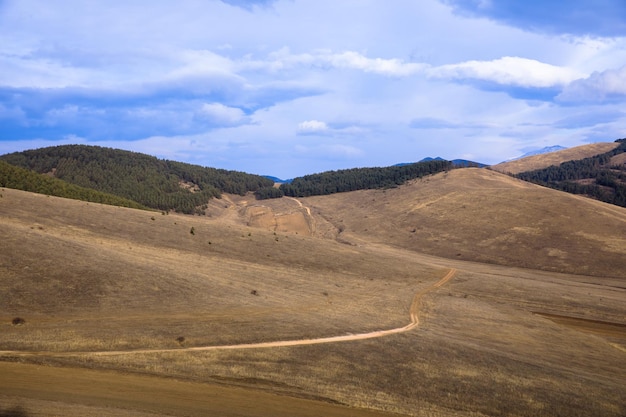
(292, 87)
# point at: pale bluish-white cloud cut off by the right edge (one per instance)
(600, 86)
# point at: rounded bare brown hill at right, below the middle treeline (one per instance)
(474, 214)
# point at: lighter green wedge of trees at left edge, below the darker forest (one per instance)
(26, 180)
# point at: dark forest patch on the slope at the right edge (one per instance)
(595, 177)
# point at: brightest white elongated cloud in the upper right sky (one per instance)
(514, 71)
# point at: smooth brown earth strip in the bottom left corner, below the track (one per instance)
(84, 392)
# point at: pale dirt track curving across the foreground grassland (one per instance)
(414, 315)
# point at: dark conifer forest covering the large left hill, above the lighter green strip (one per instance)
(152, 182)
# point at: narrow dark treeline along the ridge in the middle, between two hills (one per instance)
(331, 182)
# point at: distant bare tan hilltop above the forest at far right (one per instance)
(545, 160)
